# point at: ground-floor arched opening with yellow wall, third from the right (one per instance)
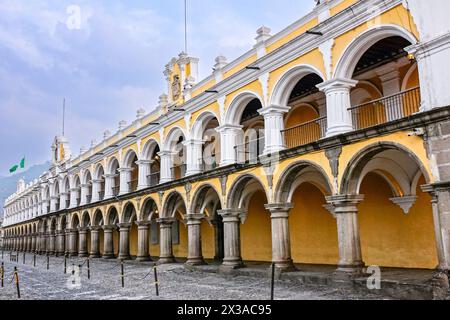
(248, 197)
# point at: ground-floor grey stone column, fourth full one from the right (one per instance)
(195, 256)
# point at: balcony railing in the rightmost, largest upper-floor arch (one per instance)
(386, 109)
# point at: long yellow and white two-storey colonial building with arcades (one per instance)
(326, 143)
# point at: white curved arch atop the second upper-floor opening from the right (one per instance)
(287, 82)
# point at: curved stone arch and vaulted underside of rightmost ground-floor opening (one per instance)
(360, 164)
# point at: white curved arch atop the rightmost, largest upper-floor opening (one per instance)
(355, 50)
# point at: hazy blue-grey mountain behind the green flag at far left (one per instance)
(8, 185)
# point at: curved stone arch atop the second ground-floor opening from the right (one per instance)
(298, 173)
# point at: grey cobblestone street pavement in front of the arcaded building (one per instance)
(176, 283)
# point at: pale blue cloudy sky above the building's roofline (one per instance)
(112, 65)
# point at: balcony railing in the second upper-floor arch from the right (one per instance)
(305, 133)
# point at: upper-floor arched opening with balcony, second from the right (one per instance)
(307, 119)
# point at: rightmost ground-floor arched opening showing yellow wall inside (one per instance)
(395, 218)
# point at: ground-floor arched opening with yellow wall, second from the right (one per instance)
(314, 238)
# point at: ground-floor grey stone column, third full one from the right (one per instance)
(232, 239)
